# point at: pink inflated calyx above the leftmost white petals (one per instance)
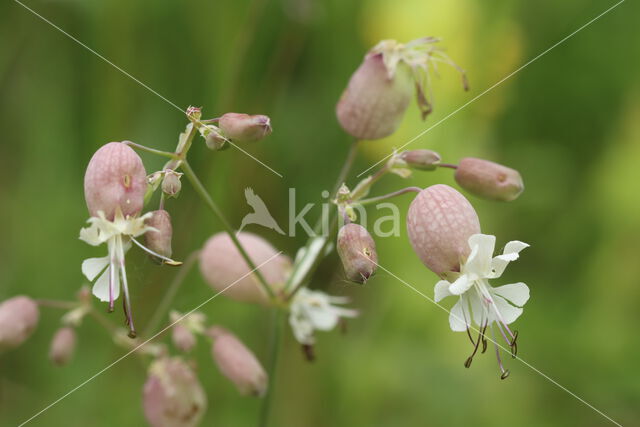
(115, 179)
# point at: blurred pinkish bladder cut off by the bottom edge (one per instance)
(172, 395)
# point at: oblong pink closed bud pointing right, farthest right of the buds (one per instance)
(489, 180)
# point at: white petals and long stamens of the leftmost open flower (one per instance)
(110, 270)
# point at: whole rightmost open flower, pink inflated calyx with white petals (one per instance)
(445, 233)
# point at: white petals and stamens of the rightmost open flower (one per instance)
(478, 300)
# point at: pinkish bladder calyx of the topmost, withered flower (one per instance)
(373, 104)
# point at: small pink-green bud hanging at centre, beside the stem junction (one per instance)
(357, 250)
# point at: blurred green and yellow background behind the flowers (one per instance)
(569, 122)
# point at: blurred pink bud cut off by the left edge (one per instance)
(18, 319)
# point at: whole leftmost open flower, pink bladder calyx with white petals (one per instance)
(115, 185)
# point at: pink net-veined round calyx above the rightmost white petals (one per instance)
(440, 221)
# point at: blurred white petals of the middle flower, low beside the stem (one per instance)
(313, 310)
